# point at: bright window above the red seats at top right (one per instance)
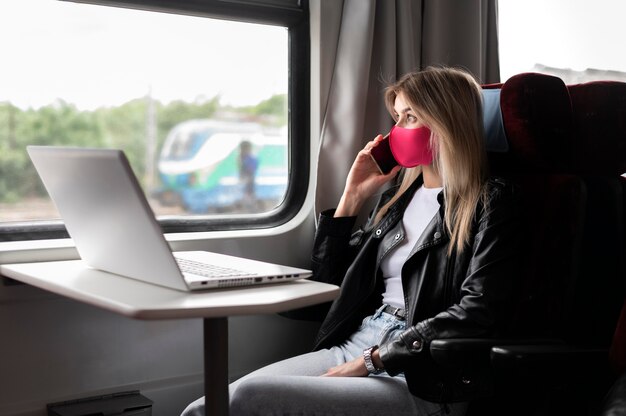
(570, 39)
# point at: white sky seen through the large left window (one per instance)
(53, 49)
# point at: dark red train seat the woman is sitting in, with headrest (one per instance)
(537, 118)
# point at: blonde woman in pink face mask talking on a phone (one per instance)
(436, 260)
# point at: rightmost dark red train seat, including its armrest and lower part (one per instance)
(572, 378)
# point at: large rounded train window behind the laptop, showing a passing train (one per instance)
(200, 98)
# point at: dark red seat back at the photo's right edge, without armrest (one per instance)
(599, 110)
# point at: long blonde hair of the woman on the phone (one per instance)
(449, 102)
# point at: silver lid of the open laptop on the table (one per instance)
(106, 213)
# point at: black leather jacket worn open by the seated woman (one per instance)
(457, 296)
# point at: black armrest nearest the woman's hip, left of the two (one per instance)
(459, 352)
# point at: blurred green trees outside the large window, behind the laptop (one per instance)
(126, 127)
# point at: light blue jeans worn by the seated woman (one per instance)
(292, 386)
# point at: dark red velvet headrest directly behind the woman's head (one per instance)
(537, 116)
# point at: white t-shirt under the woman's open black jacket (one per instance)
(420, 211)
